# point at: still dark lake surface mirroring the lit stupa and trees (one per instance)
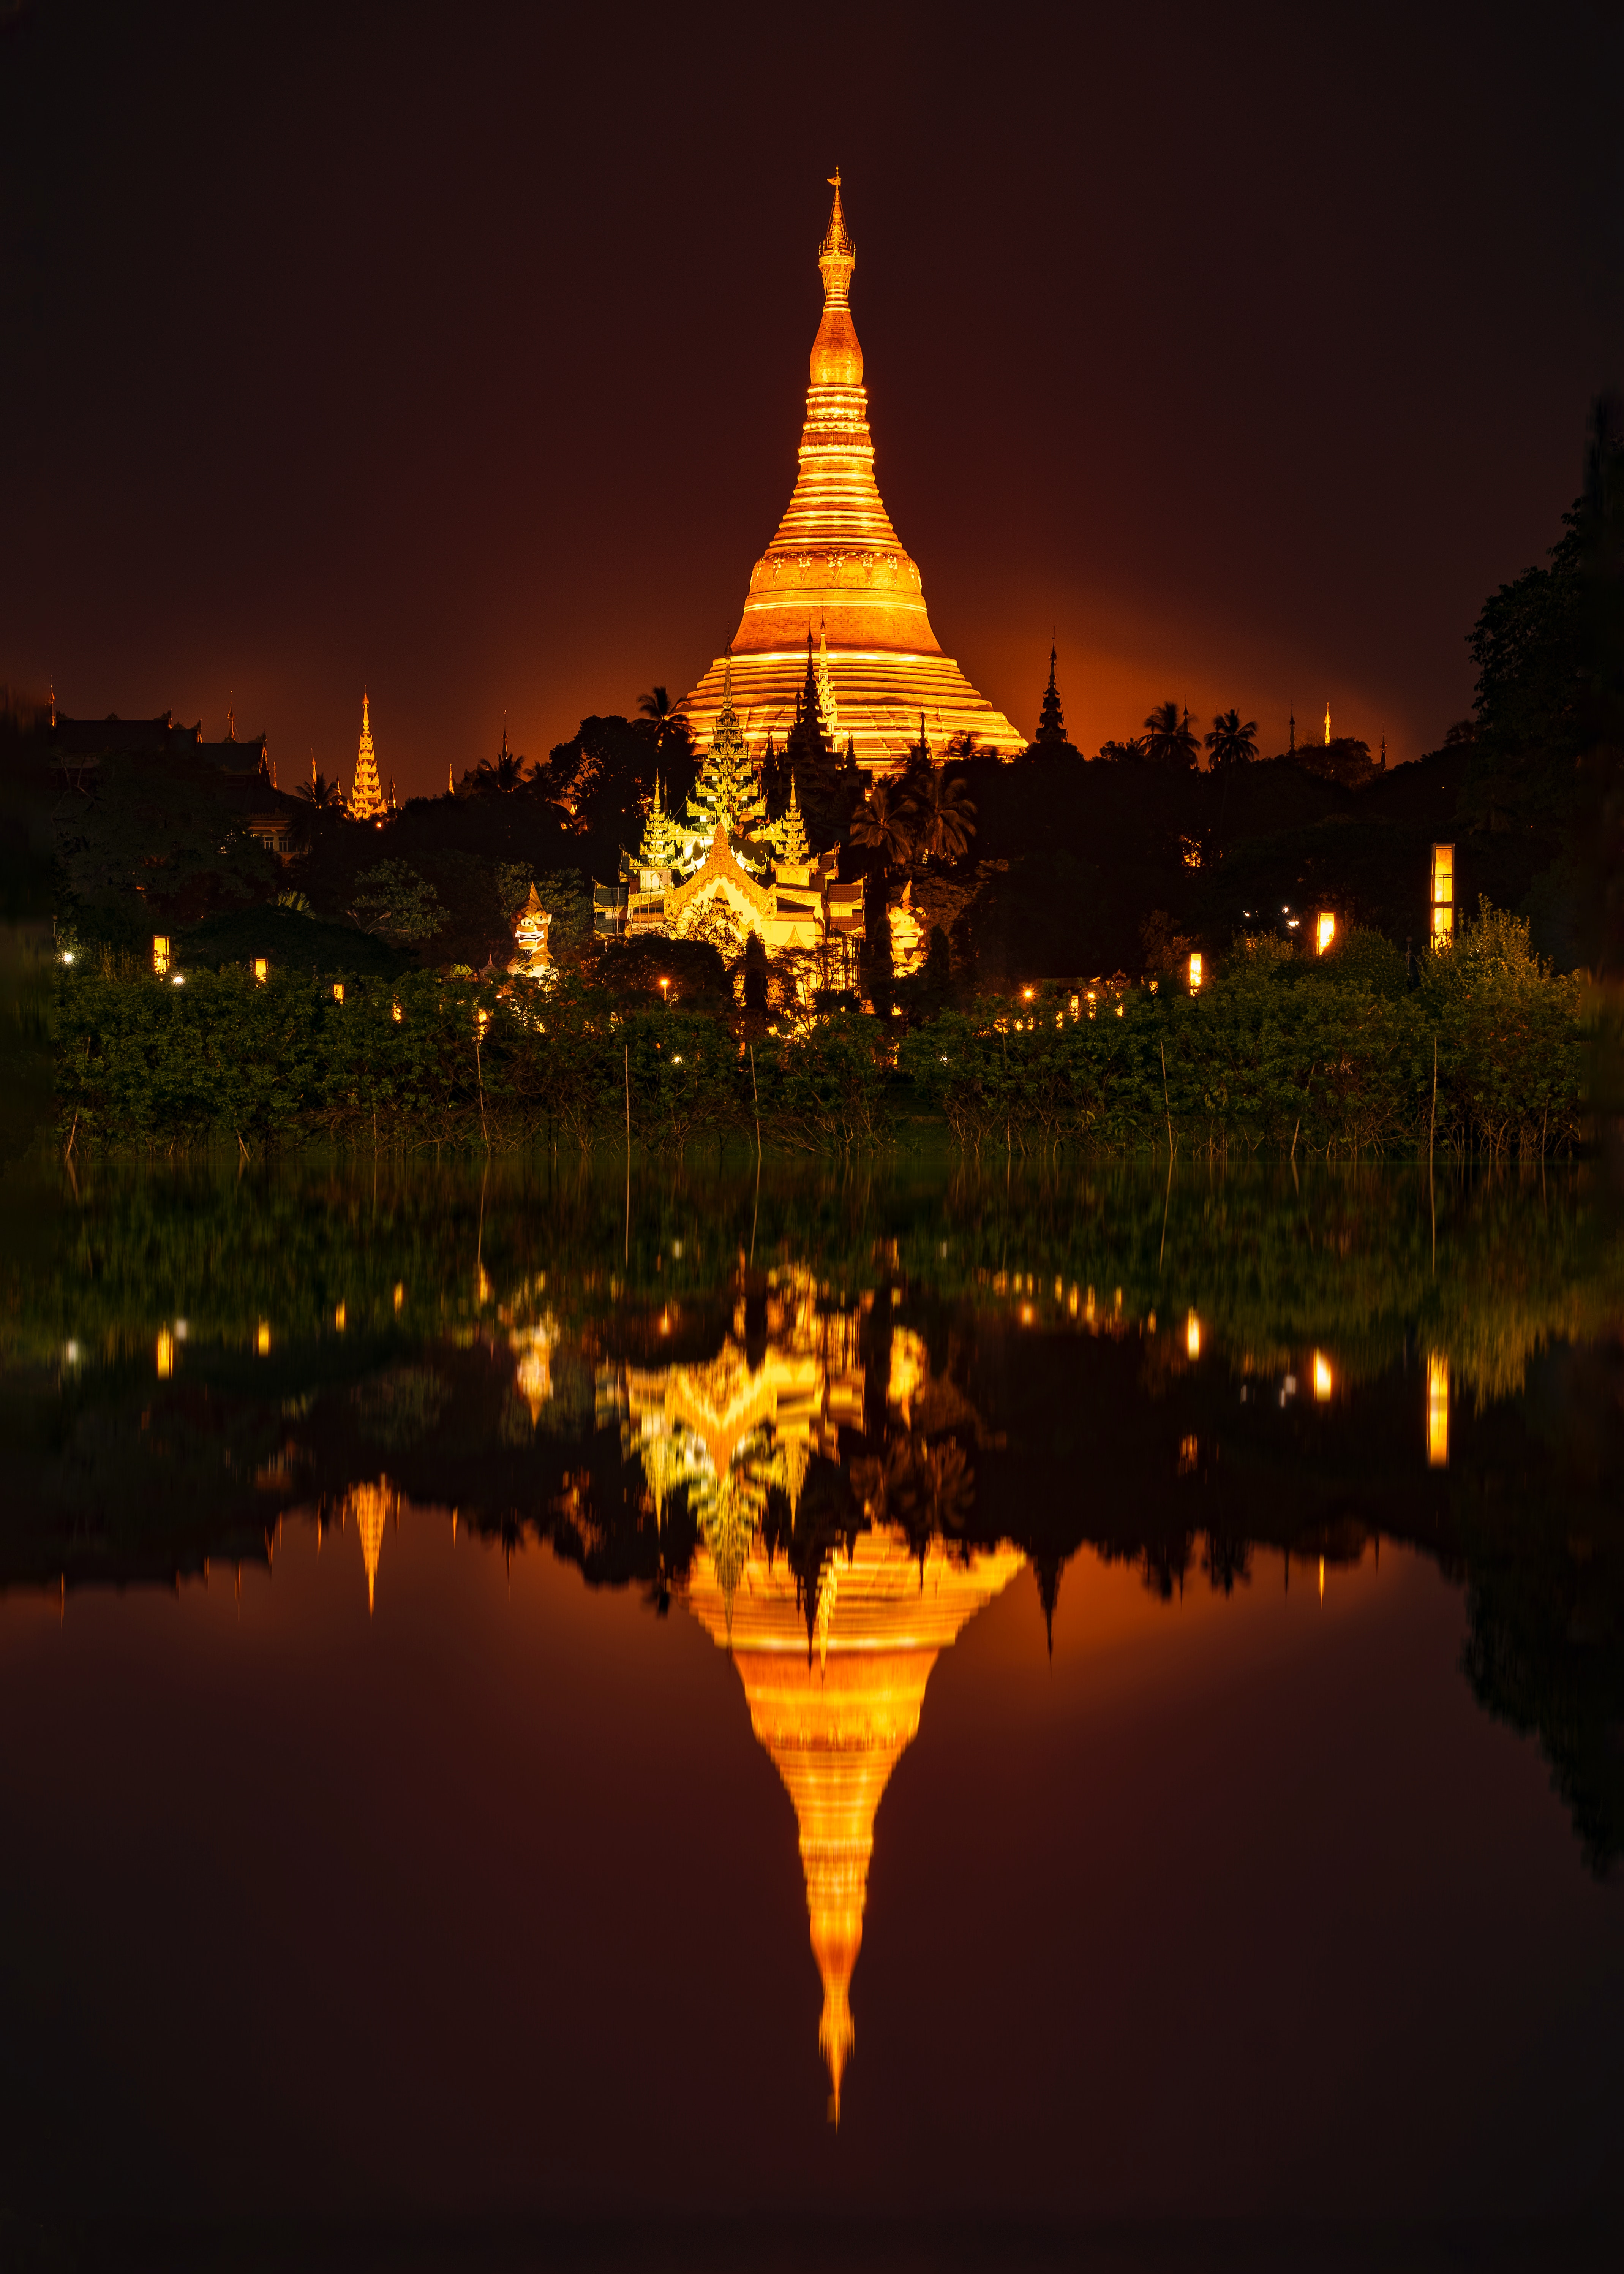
(840, 1713)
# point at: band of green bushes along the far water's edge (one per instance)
(1473, 1049)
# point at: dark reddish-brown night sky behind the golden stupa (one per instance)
(461, 354)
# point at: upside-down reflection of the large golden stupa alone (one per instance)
(840, 1720)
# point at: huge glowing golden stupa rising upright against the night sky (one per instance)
(838, 576)
